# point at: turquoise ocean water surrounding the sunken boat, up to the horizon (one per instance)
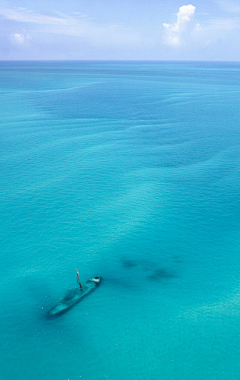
(129, 171)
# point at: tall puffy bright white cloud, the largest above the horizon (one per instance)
(176, 34)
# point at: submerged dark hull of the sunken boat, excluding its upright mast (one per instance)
(74, 296)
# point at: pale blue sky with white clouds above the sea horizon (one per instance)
(123, 29)
